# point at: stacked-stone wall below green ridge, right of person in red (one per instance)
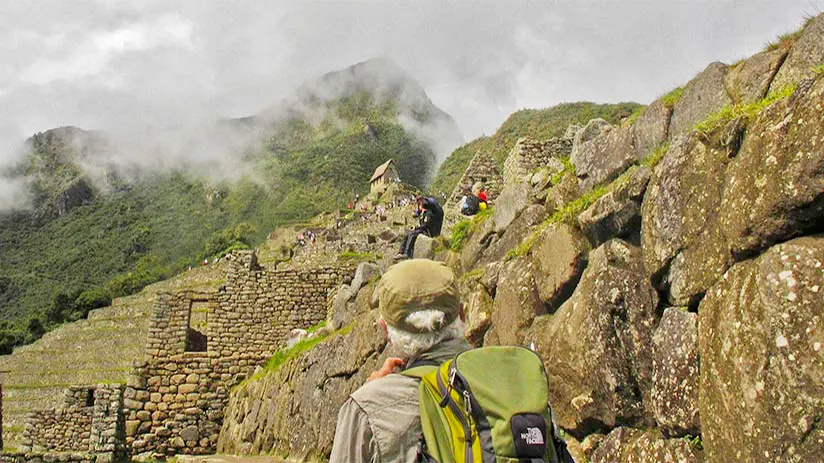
(528, 155)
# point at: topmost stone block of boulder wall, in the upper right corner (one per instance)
(806, 53)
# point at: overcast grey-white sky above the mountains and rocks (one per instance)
(110, 64)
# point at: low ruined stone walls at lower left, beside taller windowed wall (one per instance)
(90, 420)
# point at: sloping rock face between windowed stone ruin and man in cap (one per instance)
(304, 394)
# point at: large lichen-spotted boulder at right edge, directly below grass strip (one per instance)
(774, 185)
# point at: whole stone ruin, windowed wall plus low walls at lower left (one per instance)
(199, 346)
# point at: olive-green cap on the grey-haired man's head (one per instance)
(416, 285)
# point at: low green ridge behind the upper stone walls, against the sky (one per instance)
(540, 124)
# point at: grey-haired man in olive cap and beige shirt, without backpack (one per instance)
(423, 319)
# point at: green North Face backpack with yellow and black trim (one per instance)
(487, 405)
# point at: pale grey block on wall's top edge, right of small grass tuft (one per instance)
(703, 95)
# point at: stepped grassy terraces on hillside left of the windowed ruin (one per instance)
(96, 350)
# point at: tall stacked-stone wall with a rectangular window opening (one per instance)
(200, 345)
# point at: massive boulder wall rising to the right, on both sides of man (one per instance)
(671, 282)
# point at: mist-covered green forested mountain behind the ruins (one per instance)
(100, 214)
